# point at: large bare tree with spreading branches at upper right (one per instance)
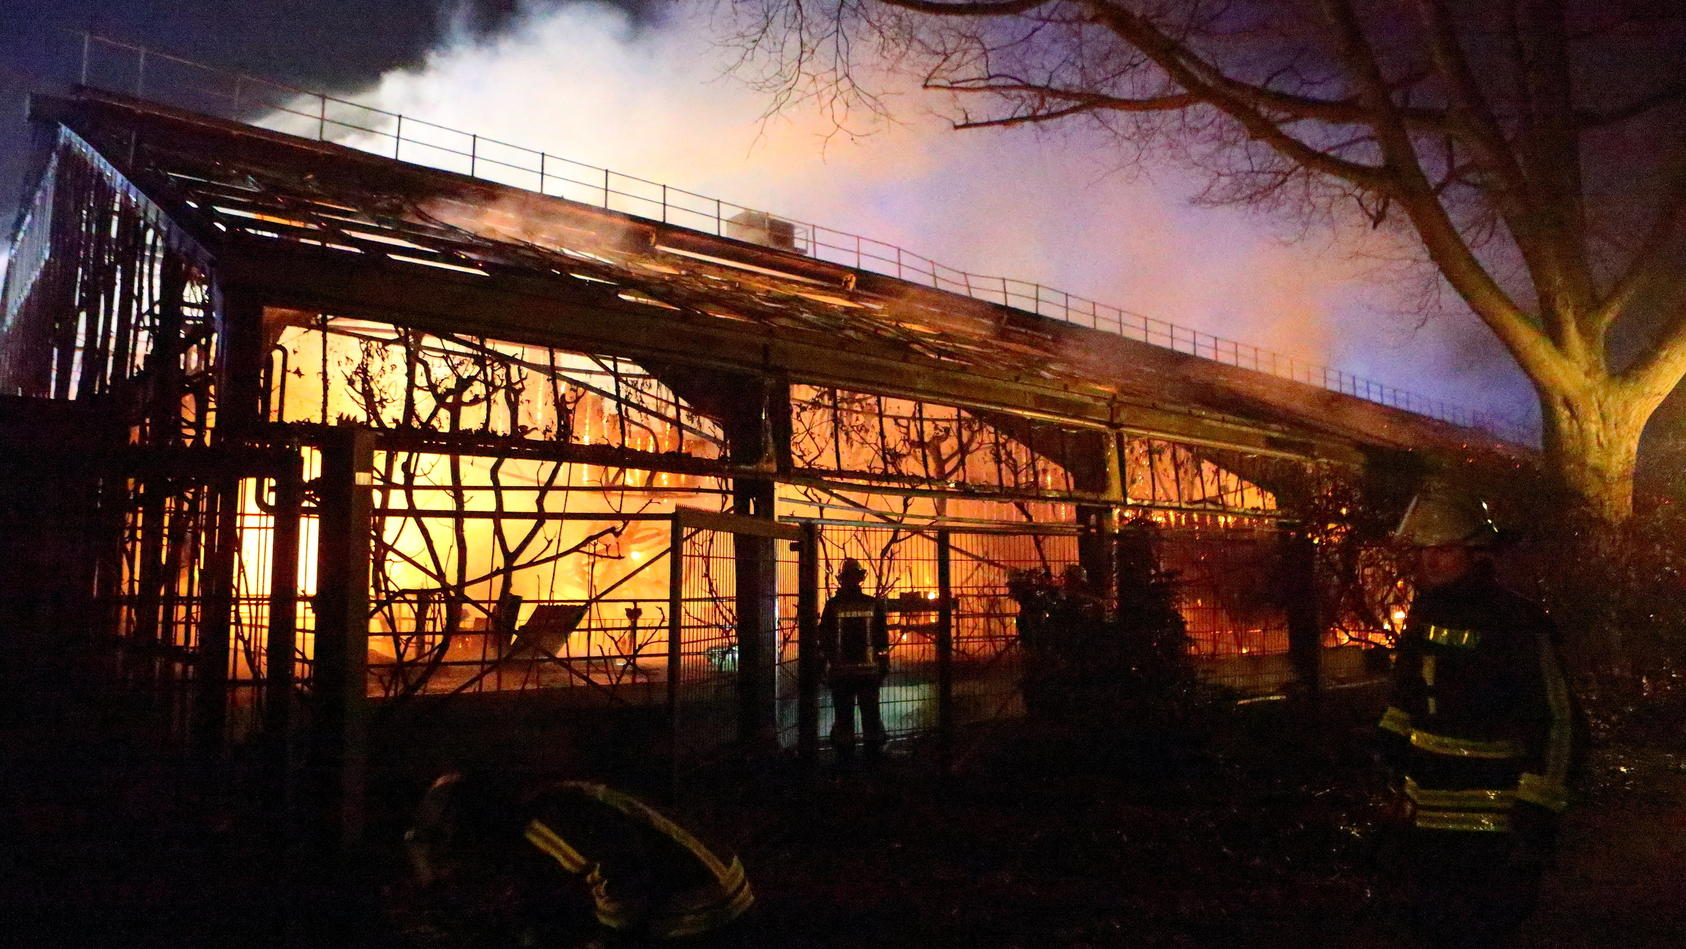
(1535, 149)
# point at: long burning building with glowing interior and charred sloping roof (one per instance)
(414, 456)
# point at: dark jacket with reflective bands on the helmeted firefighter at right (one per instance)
(1481, 716)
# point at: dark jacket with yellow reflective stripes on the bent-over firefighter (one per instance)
(648, 876)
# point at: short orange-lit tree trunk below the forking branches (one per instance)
(1591, 446)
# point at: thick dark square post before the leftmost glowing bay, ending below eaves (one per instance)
(343, 628)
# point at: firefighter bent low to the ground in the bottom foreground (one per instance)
(572, 864)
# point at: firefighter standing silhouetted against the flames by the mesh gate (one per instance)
(856, 645)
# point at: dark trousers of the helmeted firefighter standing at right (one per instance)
(1463, 889)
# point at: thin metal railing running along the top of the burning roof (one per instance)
(171, 80)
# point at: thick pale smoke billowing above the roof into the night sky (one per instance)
(583, 82)
